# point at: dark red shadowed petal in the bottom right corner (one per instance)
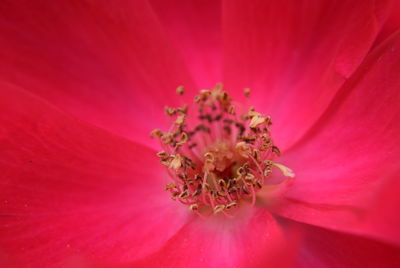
(325, 248)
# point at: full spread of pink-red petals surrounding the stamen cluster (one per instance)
(82, 83)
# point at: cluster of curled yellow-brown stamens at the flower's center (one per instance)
(219, 159)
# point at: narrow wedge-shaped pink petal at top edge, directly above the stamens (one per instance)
(195, 28)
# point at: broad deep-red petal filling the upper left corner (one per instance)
(107, 62)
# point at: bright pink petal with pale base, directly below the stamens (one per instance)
(255, 240)
